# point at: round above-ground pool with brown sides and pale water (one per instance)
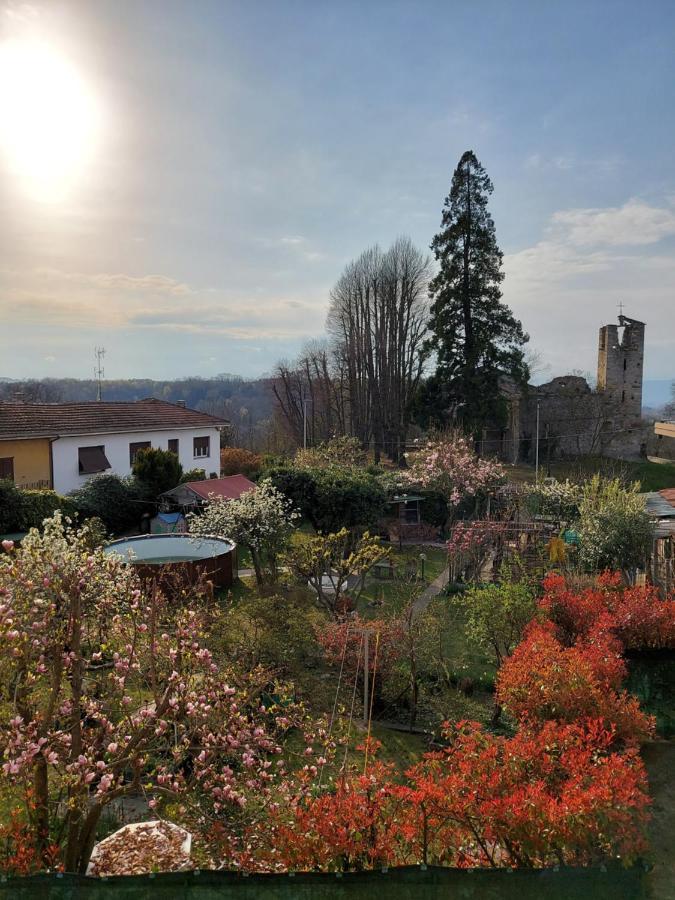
(193, 556)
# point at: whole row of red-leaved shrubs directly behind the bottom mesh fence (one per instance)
(558, 794)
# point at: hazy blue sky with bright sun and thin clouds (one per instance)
(183, 182)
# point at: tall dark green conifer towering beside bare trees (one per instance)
(475, 336)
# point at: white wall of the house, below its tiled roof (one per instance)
(116, 448)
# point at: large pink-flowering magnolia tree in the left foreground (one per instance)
(112, 692)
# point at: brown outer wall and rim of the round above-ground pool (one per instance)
(219, 568)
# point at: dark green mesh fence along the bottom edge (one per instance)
(411, 883)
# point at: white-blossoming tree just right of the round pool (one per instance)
(260, 520)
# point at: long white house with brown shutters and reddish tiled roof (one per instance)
(88, 438)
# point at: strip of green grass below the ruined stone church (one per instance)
(652, 476)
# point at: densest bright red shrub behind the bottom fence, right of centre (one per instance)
(539, 798)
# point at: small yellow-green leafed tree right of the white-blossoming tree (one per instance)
(328, 563)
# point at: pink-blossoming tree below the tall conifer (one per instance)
(452, 467)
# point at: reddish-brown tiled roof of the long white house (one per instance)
(25, 420)
